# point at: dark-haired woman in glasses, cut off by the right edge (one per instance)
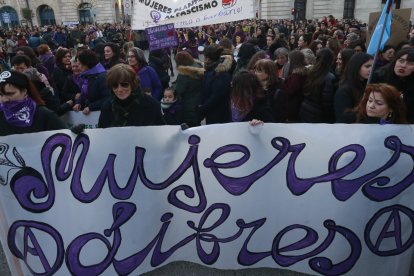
(400, 74)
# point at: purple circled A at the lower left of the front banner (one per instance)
(37, 249)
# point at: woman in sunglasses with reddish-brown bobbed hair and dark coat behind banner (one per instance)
(128, 106)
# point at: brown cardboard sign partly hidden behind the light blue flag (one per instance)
(400, 25)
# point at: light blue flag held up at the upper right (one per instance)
(373, 44)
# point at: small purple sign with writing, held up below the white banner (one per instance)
(161, 37)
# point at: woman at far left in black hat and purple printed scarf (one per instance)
(21, 108)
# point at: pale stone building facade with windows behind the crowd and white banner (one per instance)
(50, 12)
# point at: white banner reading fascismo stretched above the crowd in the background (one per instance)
(189, 13)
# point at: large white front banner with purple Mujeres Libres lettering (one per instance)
(118, 201)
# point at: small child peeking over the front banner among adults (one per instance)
(171, 107)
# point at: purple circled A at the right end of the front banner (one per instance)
(396, 233)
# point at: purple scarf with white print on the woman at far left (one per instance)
(19, 113)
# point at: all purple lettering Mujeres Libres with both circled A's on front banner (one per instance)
(36, 193)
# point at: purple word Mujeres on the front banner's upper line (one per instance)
(28, 183)
